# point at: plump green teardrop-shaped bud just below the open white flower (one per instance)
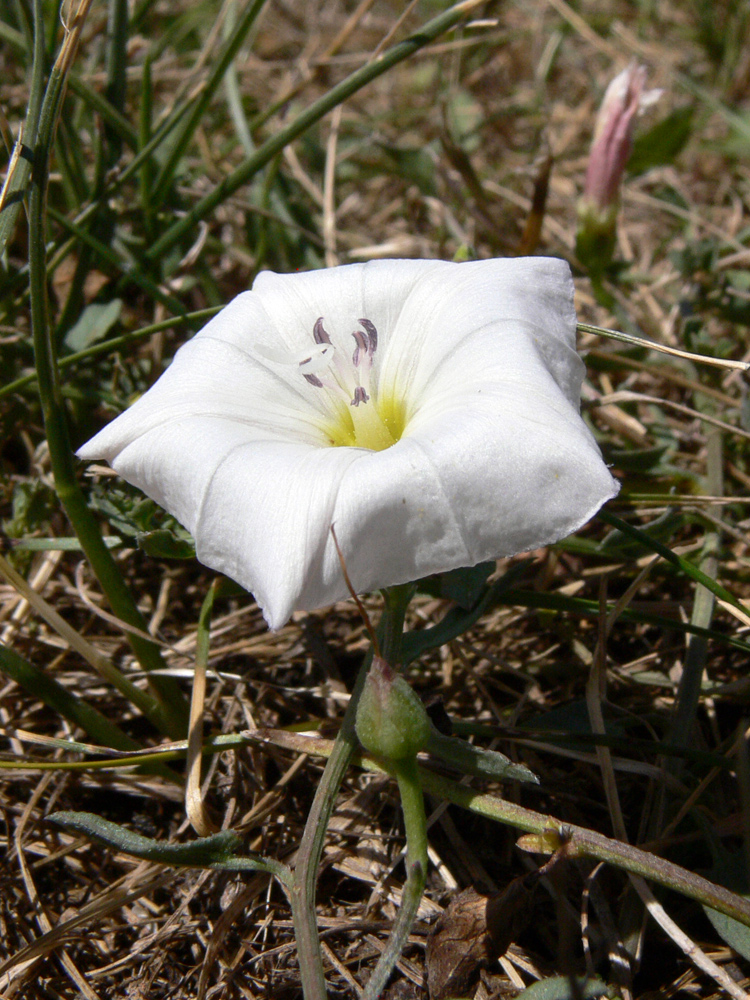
(391, 720)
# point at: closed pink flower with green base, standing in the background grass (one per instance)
(624, 99)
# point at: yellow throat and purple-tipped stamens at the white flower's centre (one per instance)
(362, 416)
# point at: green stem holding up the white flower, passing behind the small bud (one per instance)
(311, 846)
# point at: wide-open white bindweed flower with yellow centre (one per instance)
(428, 410)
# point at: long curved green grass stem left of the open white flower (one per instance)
(168, 710)
